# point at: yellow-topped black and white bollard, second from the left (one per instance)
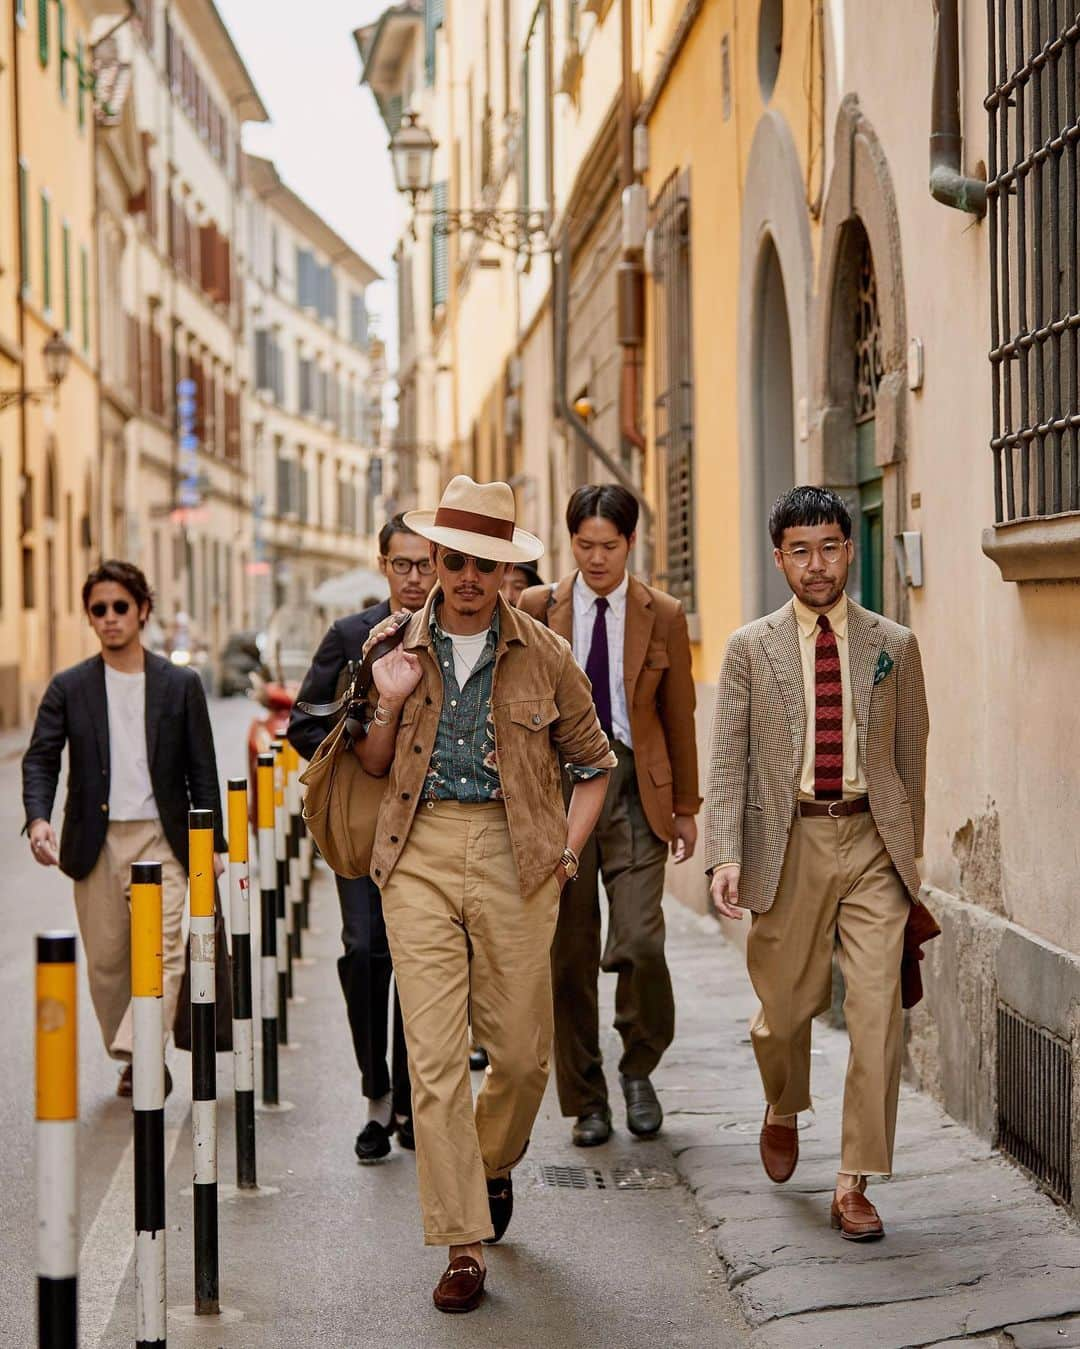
(148, 1076)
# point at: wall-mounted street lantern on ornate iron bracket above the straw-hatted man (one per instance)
(413, 152)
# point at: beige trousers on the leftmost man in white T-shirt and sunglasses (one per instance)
(103, 905)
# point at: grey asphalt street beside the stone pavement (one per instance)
(606, 1248)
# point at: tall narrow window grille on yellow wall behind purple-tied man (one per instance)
(673, 384)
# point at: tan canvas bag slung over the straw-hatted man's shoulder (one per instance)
(343, 802)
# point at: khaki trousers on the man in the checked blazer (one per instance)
(838, 890)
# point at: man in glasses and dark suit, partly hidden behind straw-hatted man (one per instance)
(366, 967)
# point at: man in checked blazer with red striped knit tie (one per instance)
(815, 814)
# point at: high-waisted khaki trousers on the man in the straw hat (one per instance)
(464, 941)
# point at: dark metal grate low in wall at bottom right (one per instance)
(1035, 1099)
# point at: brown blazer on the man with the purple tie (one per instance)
(660, 693)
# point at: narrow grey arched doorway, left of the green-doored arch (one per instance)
(775, 423)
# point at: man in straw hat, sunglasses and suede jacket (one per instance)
(471, 717)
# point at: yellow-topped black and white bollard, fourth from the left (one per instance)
(243, 1037)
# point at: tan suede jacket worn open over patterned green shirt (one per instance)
(543, 710)
